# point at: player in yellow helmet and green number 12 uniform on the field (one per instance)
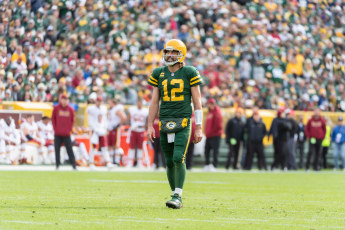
(176, 86)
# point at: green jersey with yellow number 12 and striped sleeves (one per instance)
(175, 90)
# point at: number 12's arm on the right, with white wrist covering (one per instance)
(196, 96)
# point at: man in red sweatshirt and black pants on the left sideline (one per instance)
(63, 121)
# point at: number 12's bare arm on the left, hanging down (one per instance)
(153, 109)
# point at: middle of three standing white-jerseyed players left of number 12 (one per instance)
(116, 117)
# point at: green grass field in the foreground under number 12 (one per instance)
(132, 200)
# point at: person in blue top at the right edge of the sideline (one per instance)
(338, 137)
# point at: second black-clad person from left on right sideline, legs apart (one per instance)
(256, 133)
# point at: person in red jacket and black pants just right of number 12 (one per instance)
(213, 132)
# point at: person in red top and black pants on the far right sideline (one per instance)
(315, 131)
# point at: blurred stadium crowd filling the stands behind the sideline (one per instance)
(267, 53)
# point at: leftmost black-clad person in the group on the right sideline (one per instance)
(234, 131)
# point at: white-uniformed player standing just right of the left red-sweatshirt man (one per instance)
(97, 120)
